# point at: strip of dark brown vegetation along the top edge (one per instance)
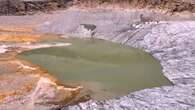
(21, 7)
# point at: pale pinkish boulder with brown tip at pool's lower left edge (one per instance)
(48, 92)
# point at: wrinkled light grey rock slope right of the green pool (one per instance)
(172, 43)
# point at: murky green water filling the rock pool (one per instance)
(105, 69)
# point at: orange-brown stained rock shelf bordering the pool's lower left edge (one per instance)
(25, 86)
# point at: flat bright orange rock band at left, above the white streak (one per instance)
(22, 34)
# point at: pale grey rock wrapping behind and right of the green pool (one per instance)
(170, 42)
